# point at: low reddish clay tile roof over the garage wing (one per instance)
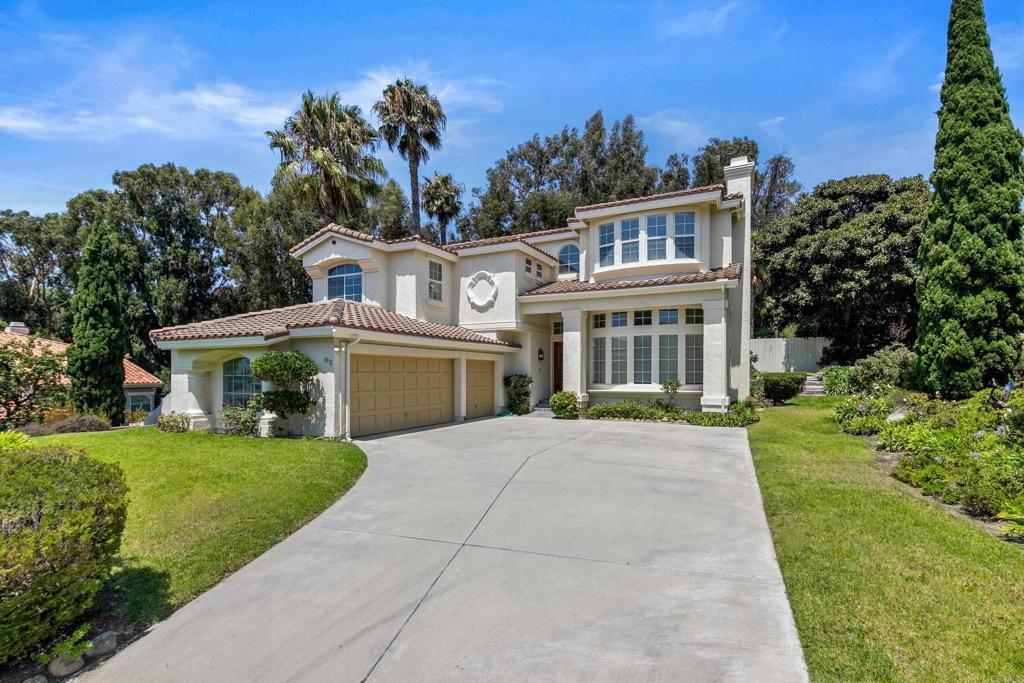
(332, 313)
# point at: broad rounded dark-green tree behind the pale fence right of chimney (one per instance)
(843, 264)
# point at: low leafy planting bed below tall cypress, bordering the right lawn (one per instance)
(969, 453)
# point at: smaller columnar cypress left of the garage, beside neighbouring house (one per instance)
(96, 358)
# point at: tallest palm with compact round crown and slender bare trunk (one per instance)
(413, 120)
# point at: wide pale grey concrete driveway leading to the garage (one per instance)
(514, 549)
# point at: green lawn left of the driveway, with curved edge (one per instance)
(201, 506)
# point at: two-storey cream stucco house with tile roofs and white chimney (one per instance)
(406, 333)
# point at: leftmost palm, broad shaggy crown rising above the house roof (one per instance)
(331, 148)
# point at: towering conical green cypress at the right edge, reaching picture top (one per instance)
(971, 291)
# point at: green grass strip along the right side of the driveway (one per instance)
(884, 586)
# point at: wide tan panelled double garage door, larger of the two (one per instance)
(394, 393)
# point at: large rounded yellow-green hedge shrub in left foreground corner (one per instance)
(63, 515)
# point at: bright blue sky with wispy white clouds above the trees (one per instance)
(88, 89)
